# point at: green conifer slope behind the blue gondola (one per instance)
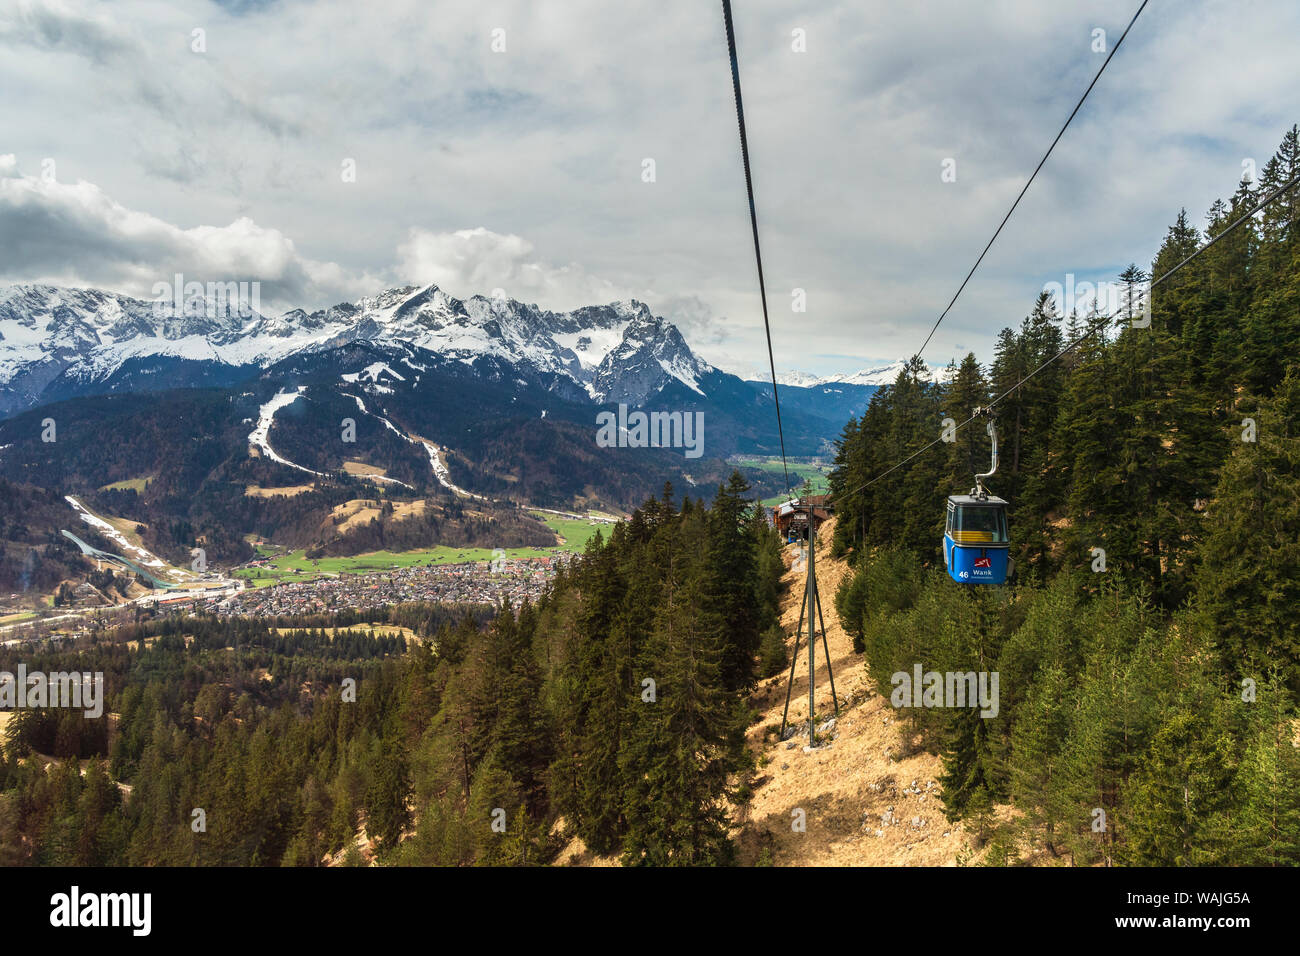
(1149, 650)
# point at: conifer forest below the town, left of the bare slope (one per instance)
(613, 711)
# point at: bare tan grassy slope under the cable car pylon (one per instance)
(861, 806)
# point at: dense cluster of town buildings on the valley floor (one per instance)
(467, 583)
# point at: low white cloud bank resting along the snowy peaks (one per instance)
(77, 235)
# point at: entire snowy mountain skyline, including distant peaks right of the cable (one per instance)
(62, 344)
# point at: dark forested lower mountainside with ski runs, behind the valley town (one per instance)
(188, 451)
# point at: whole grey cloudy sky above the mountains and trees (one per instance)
(133, 148)
